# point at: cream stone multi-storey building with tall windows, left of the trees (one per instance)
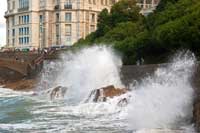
(46, 23)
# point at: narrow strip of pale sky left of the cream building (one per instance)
(3, 6)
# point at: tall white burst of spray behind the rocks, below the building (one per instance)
(89, 69)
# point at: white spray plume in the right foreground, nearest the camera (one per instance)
(164, 99)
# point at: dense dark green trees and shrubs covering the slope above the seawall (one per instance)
(174, 25)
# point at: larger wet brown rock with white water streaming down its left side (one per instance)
(101, 95)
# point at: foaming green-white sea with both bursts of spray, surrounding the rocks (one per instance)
(160, 103)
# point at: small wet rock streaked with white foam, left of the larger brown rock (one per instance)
(58, 92)
